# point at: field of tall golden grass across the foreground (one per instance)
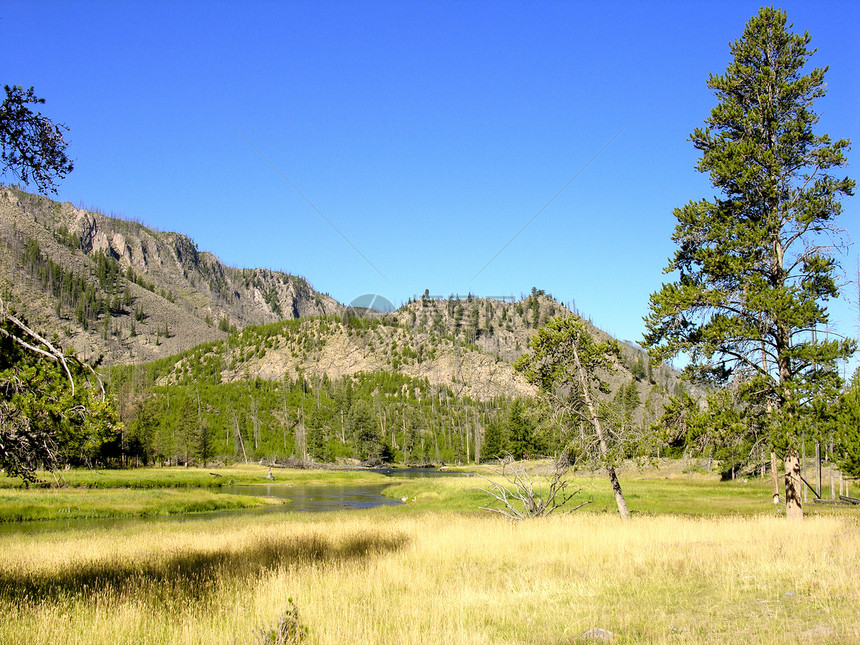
(384, 577)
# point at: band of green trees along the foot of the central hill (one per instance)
(375, 417)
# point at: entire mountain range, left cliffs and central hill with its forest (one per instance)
(223, 363)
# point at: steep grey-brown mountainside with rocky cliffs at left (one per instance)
(115, 288)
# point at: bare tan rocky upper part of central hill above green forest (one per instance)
(465, 345)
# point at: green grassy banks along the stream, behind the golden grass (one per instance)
(672, 488)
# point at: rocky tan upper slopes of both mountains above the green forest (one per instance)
(116, 289)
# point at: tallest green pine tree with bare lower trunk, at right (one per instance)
(754, 268)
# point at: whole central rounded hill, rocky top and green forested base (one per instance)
(431, 382)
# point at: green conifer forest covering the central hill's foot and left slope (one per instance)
(177, 410)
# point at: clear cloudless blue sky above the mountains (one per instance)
(427, 133)
